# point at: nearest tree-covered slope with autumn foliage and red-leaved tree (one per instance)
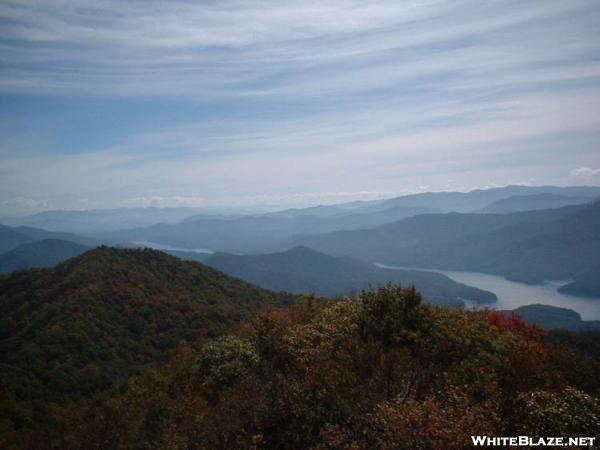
(382, 371)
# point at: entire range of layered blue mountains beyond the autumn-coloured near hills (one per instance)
(528, 234)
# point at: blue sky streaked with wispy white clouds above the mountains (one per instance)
(263, 104)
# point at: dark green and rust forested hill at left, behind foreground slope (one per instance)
(77, 328)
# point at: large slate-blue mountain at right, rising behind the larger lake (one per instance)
(532, 246)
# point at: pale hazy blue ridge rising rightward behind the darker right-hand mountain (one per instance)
(272, 232)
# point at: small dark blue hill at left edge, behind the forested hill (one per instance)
(44, 253)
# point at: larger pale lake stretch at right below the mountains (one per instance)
(512, 294)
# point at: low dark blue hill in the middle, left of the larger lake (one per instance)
(303, 270)
